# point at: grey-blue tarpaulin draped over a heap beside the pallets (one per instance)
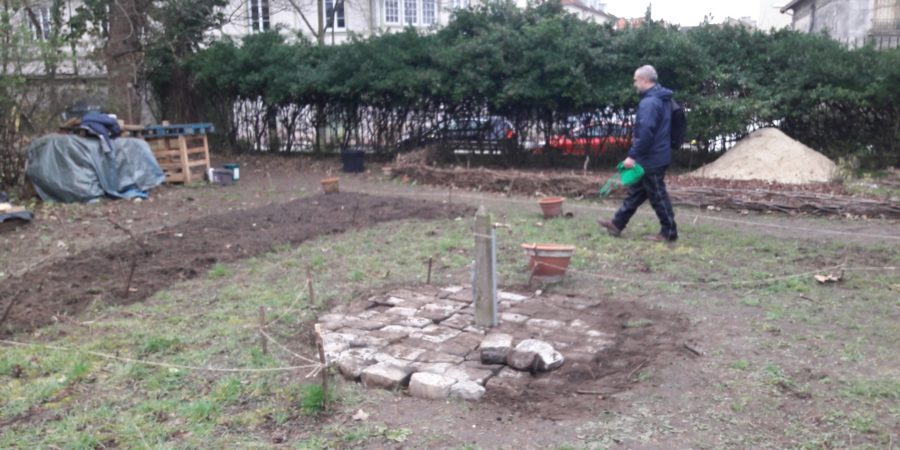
(70, 168)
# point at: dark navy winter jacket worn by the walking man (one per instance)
(651, 144)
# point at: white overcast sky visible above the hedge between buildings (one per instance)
(685, 12)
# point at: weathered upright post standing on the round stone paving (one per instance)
(484, 288)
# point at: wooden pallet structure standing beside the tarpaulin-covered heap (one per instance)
(183, 158)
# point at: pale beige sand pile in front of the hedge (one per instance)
(768, 154)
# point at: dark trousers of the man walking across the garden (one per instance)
(651, 187)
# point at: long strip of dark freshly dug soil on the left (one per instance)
(186, 250)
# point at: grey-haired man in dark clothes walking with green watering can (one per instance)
(652, 149)
